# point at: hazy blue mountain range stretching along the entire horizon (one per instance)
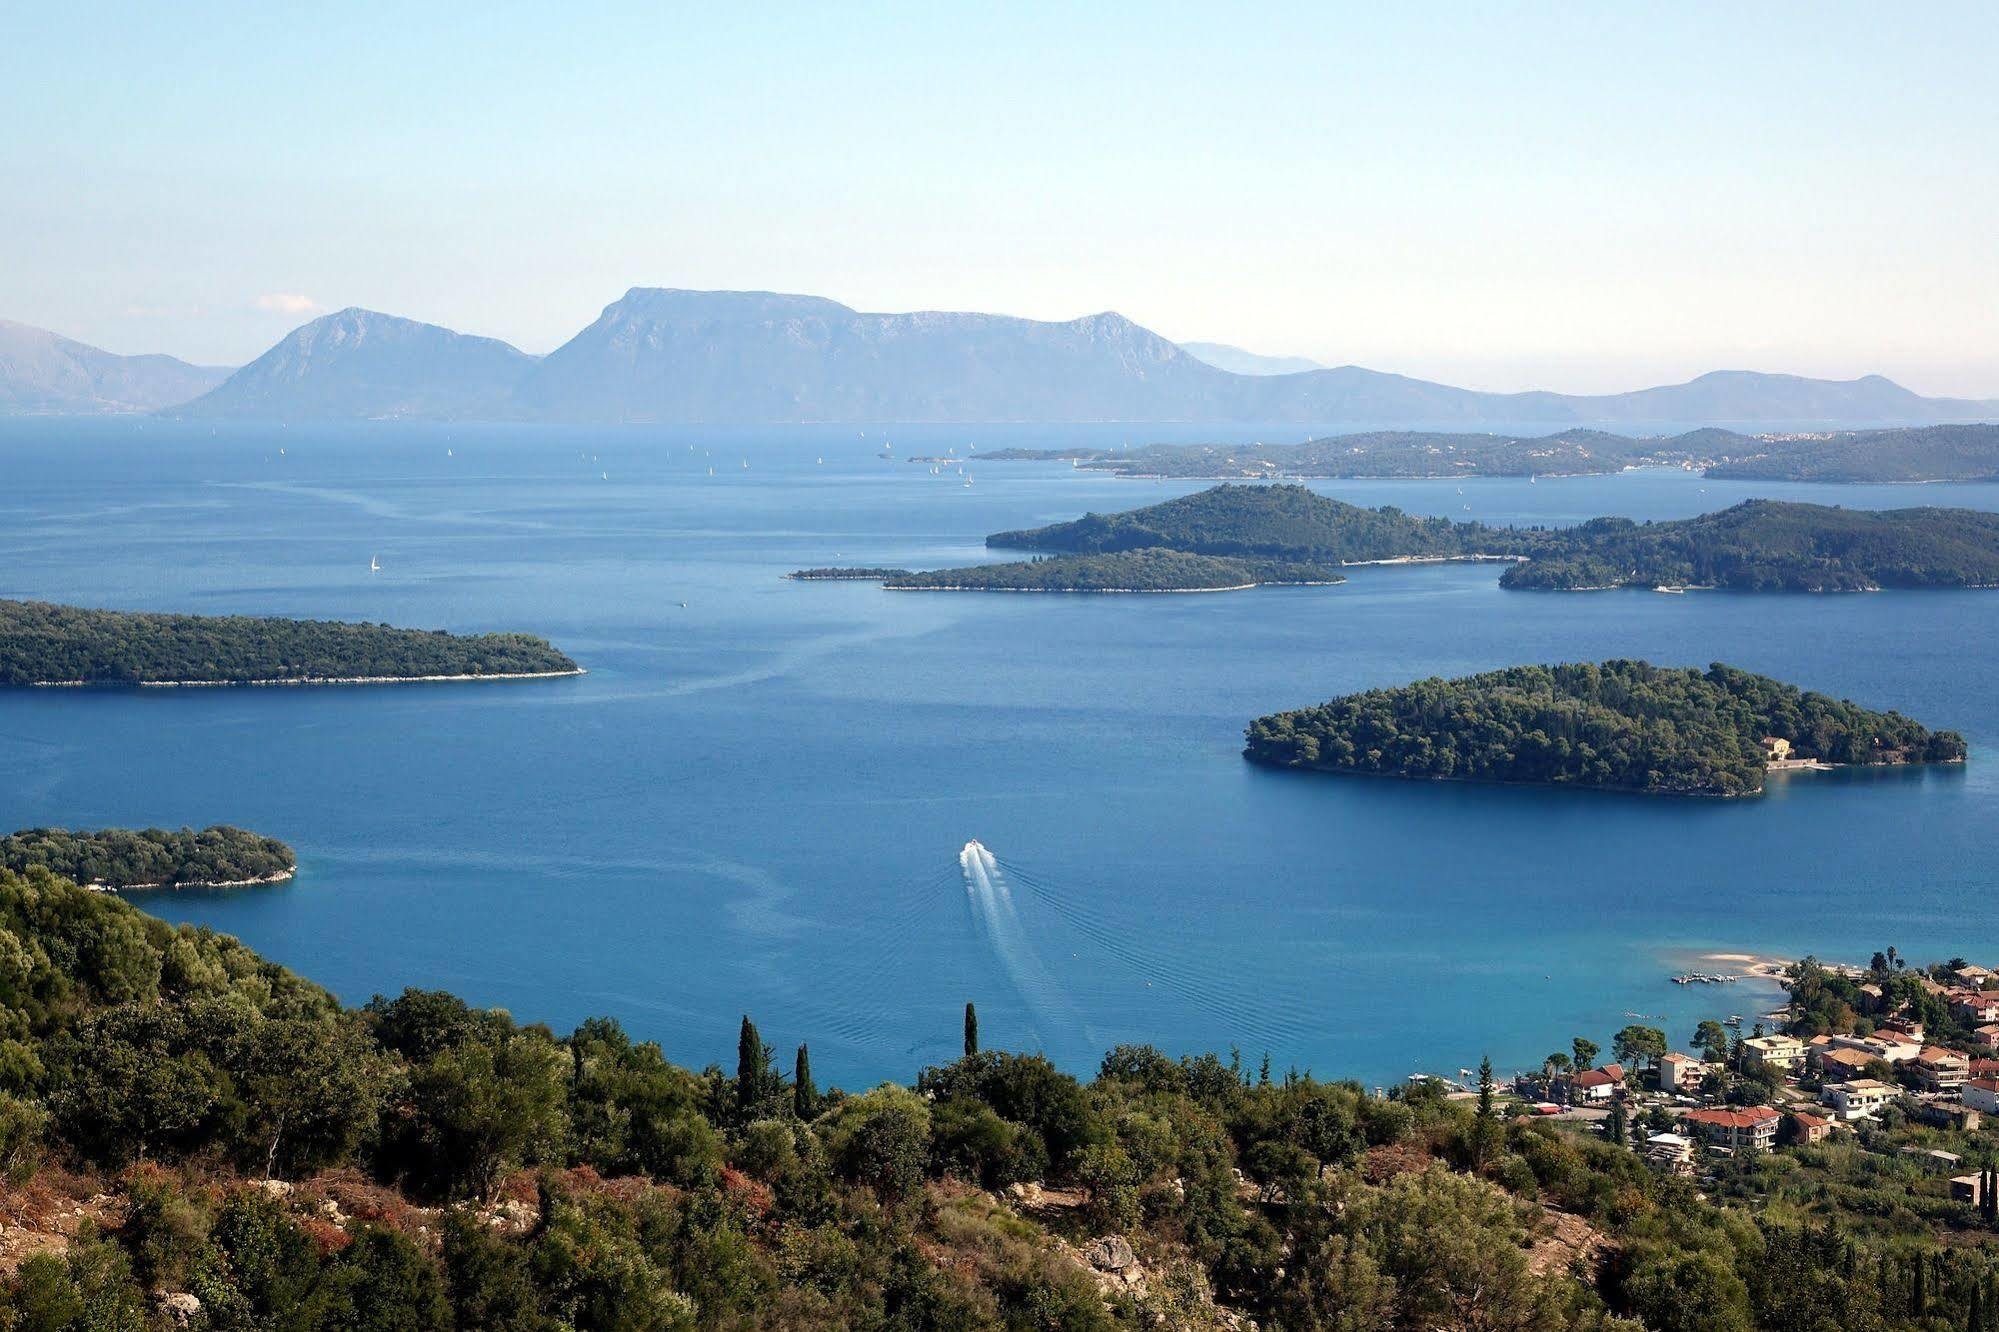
(759, 357)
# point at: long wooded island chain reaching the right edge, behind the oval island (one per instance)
(1242, 537)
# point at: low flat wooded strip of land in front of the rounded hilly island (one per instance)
(1124, 571)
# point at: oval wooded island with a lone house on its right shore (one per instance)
(1616, 727)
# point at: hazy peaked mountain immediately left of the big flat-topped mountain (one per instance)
(363, 365)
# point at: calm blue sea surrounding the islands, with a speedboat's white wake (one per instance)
(759, 795)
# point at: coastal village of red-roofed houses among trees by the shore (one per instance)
(1900, 1063)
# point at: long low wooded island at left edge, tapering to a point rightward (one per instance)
(43, 643)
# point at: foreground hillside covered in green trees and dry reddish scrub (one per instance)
(201, 1139)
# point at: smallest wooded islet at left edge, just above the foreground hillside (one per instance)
(151, 859)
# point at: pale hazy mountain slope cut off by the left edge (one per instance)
(49, 375)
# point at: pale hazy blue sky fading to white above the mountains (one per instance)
(1564, 197)
